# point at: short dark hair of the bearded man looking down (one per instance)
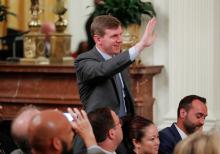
(186, 102)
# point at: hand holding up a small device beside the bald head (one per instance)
(82, 126)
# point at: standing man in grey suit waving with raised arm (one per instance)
(100, 71)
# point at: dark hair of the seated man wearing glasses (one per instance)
(102, 121)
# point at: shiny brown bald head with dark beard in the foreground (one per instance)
(50, 132)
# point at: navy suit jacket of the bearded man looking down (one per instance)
(169, 137)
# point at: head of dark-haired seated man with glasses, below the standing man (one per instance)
(107, 129)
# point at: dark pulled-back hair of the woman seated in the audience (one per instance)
(133, 128)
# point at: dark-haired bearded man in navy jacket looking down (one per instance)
(191, 115)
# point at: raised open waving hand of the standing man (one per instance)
(148, 37)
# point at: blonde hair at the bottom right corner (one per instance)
(199, 143)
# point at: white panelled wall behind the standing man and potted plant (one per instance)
(187, 44)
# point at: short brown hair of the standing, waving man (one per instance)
(103, 22)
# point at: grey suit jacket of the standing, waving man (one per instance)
(96, 83)
